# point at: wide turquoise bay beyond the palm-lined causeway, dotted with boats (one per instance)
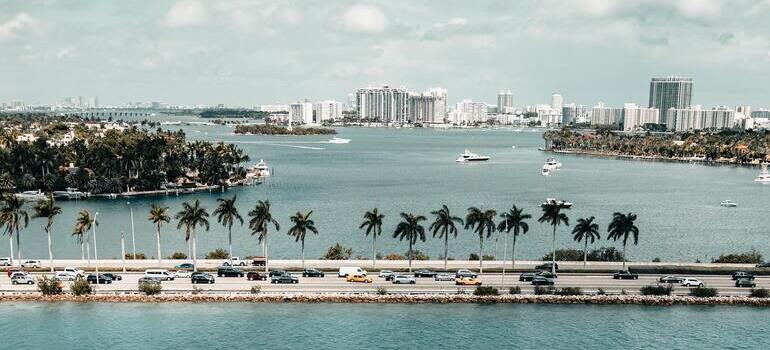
(414, 170)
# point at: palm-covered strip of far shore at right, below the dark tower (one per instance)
(726, 145)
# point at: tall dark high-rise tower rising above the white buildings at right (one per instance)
(670, 92)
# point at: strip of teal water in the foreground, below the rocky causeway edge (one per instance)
(390, 326)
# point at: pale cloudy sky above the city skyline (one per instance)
(243, 53)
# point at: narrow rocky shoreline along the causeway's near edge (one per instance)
(392, 299)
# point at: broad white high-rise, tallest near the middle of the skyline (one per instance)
(383, 104)
